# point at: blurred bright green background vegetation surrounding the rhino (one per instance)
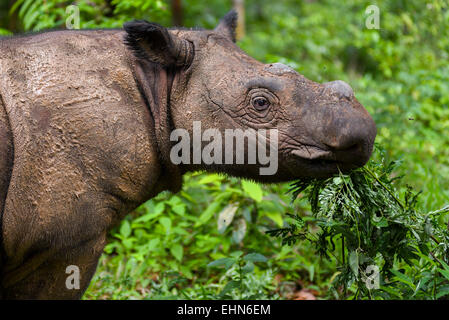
(400, 73)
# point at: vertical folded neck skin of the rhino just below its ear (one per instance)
(155, 84)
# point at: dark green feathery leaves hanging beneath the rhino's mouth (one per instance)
(376, 227)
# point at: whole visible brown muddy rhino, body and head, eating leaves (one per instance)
(85, 120)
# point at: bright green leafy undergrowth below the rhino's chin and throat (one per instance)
(183, 233)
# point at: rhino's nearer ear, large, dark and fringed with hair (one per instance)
(154, 42)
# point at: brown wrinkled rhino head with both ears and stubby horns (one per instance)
(321, 128)
